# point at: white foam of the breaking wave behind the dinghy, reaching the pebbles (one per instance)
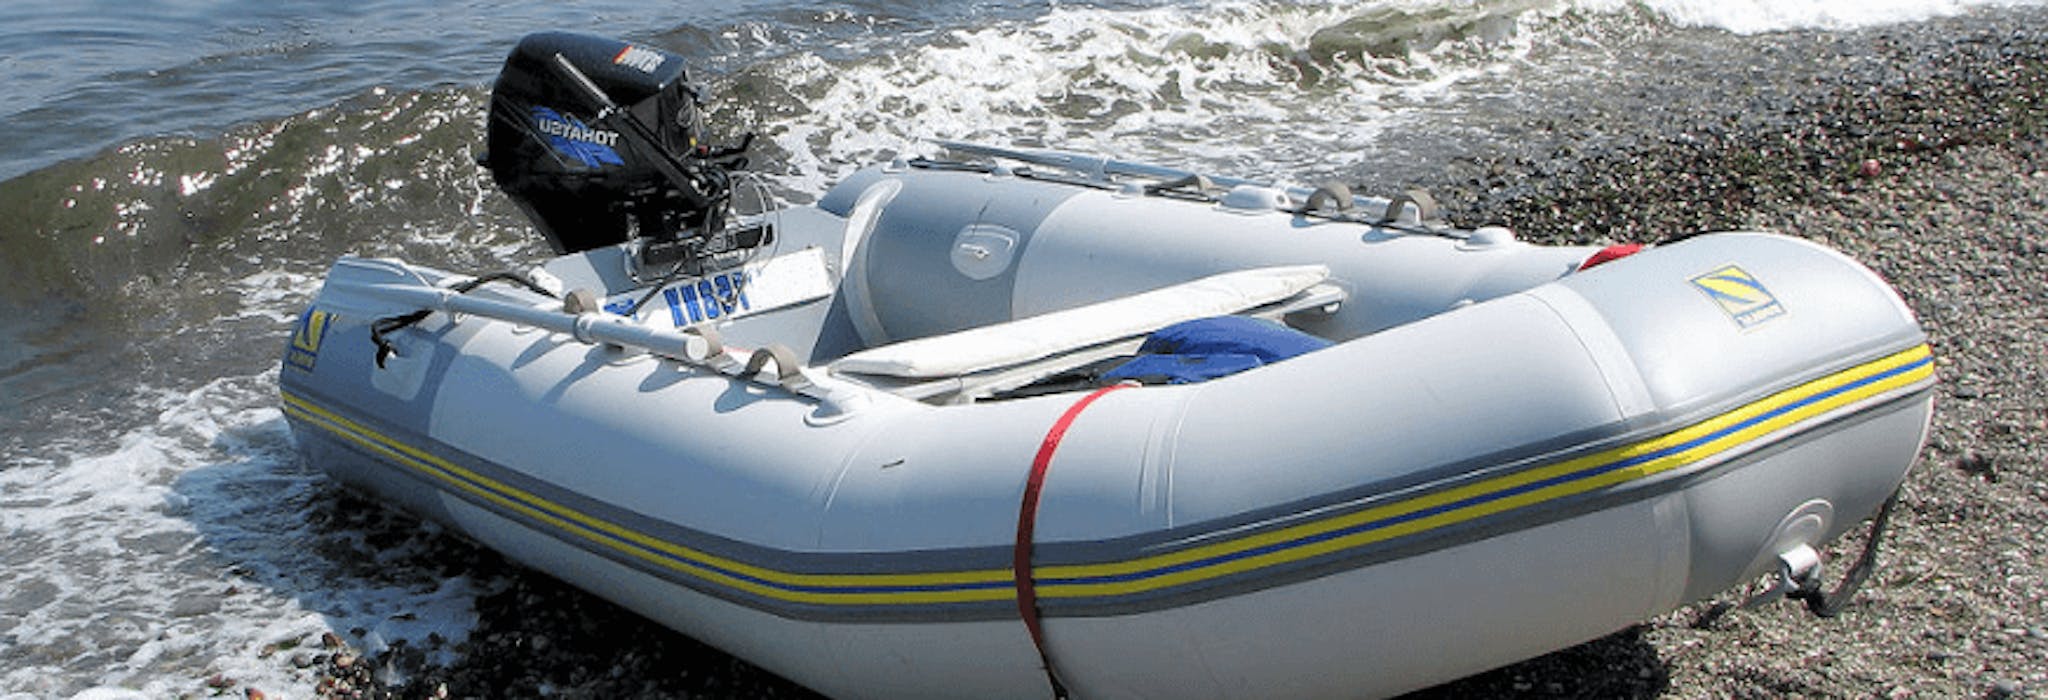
(1232, 85)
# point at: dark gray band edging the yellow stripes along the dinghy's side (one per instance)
(1121, 550)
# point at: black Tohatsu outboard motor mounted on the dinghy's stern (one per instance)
(601, 142)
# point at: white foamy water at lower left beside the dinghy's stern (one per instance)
(183, 552)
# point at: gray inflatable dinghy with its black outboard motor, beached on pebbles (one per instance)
(1027, 423)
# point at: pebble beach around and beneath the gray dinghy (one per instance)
(1955, 116)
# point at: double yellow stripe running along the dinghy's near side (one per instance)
(708, 566)
